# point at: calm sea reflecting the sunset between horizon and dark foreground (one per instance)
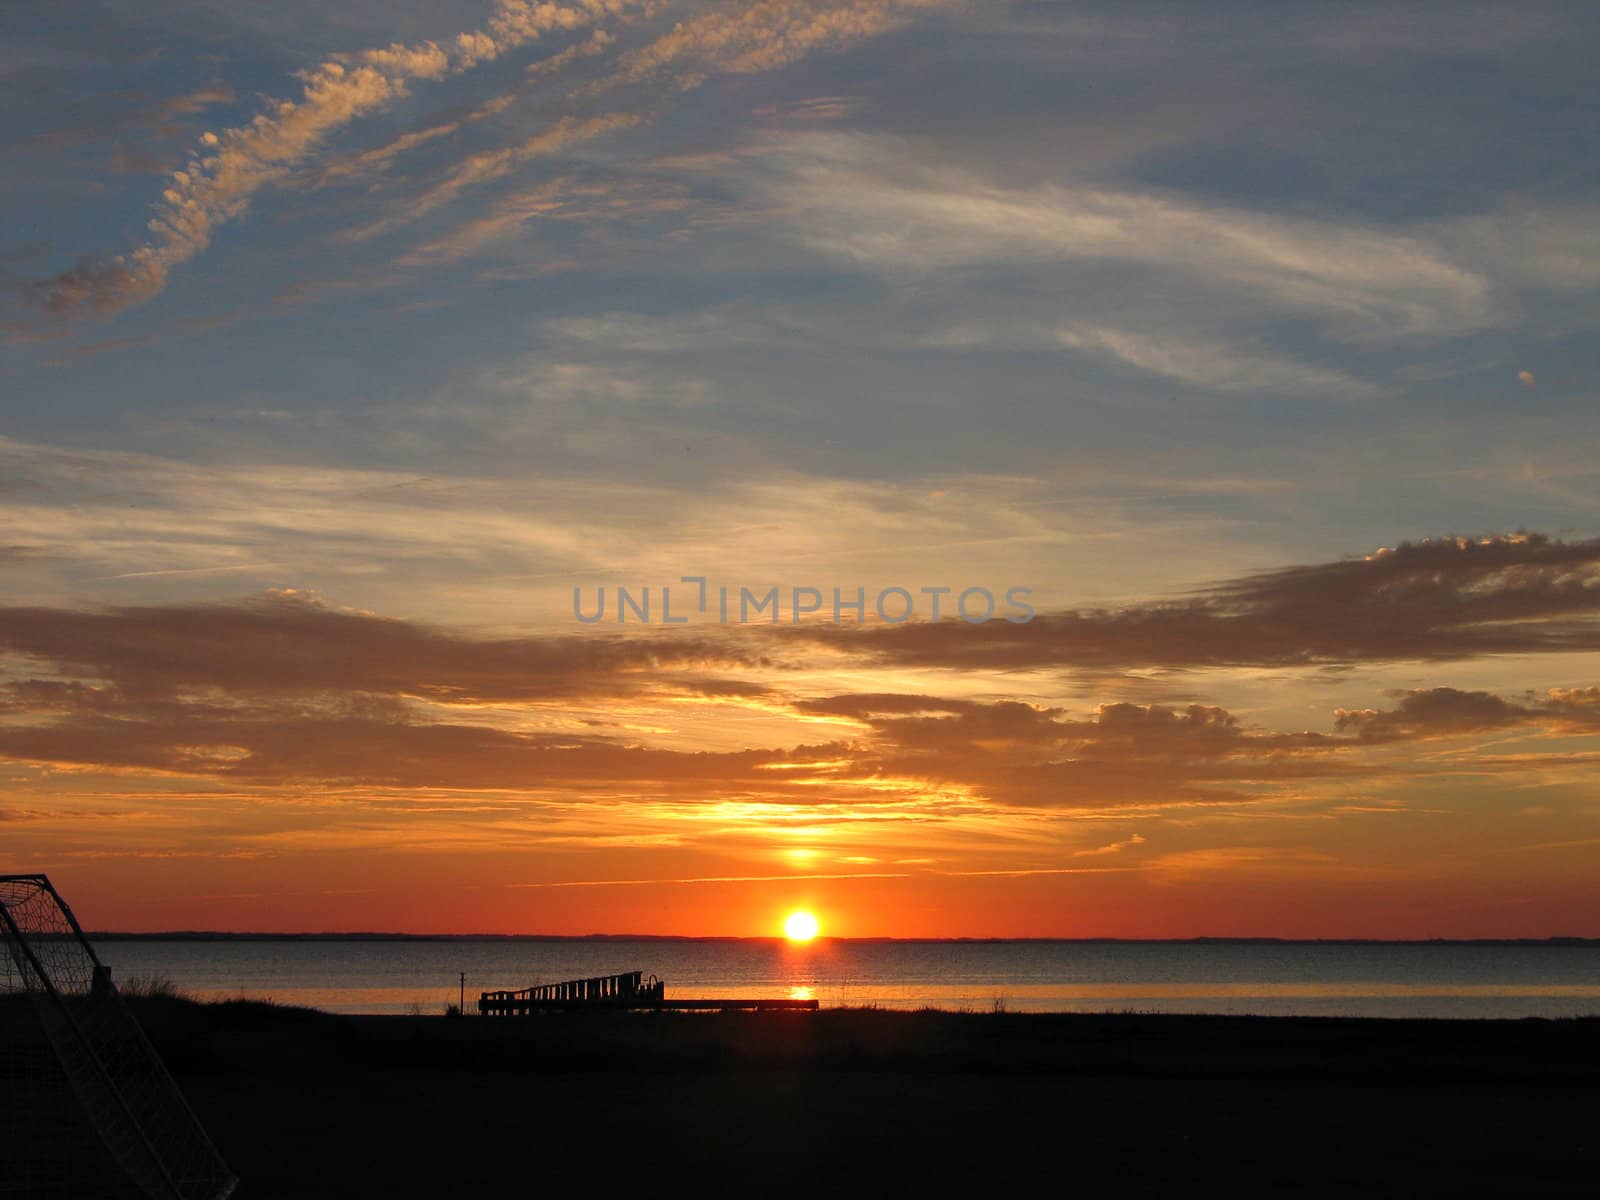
(385, 977)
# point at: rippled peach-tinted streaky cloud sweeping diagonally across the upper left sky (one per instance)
(230, 169)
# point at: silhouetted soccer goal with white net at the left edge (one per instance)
(89, 1110)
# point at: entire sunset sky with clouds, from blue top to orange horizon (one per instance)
(1226, 375)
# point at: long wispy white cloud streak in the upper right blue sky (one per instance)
(874, 204)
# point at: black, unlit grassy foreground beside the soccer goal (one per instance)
(306, 1105)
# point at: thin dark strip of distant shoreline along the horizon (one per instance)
(225, 937)
